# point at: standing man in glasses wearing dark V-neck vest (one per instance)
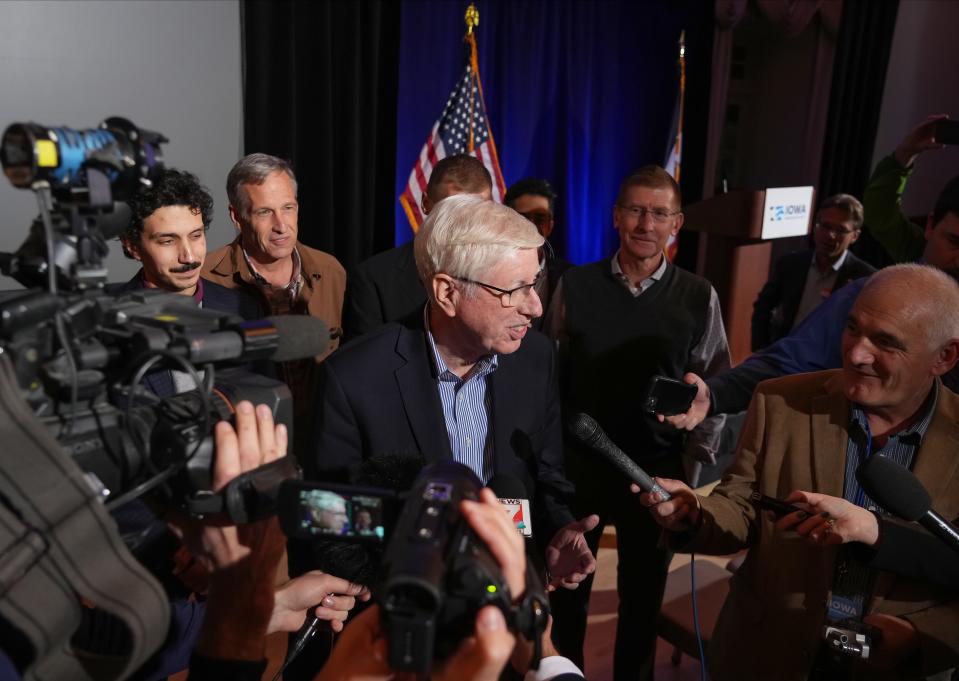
(617, 323)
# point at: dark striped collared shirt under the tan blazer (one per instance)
(900, 447)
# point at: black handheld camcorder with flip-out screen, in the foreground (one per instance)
(435, 574)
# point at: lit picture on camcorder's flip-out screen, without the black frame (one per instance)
(324, 513)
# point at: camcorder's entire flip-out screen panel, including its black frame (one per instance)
(330, 511)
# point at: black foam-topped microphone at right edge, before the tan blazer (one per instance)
(898, 490)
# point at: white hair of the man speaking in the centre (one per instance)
(465, 235)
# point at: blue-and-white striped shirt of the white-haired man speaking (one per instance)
(466, 409)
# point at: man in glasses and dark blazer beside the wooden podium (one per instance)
(798, 282)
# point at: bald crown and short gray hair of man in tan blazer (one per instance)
(934, 295)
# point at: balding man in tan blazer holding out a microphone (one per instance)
(812, 432)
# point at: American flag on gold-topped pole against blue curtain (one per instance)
(463, 127)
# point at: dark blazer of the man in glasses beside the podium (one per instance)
(776, 306)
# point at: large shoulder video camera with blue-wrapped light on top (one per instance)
(79, 355)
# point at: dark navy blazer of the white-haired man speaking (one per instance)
(378, 396)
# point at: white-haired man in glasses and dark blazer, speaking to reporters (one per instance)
(464, 378)
